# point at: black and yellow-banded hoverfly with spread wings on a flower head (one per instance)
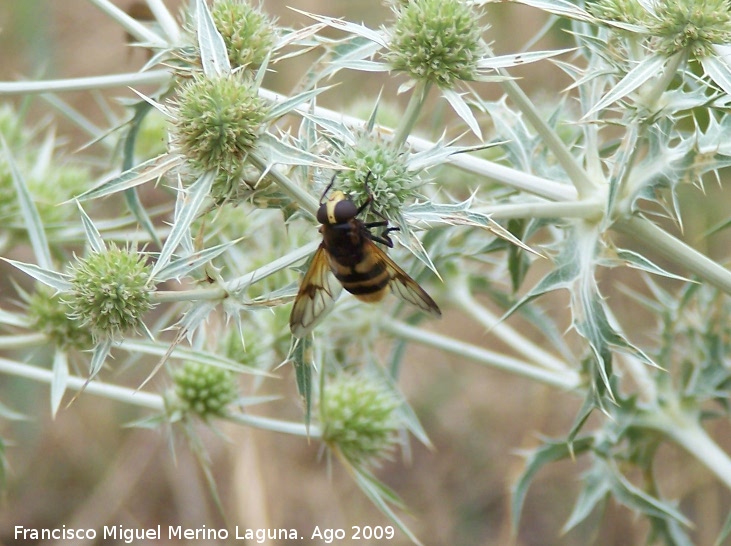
(348, 253)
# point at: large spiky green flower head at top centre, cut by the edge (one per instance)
(437, 40)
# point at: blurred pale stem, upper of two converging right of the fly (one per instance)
(463, 299)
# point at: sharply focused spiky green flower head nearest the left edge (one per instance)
(110, 292)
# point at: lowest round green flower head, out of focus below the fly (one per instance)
(359, 419)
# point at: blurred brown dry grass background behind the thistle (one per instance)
(84, 470)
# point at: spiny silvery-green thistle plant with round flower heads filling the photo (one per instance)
(512, 195)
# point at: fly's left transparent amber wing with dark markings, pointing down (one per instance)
(316, 295)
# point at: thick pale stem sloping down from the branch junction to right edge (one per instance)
(678, 252)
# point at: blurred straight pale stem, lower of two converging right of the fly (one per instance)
(565, 380)
